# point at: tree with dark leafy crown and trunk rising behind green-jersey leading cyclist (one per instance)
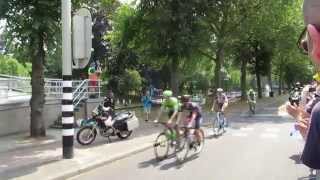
(168, 30)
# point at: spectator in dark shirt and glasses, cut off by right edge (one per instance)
(310, 44)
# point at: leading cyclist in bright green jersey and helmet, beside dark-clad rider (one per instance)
(170, 105)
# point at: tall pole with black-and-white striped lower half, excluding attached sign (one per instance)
(67, 98)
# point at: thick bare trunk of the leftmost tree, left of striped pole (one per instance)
(37, 125)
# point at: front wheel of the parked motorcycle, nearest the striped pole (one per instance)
(86, 135)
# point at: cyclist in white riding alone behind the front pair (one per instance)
(220, 103)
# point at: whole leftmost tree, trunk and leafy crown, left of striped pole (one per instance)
(33, 25)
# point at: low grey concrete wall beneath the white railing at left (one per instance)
(15, 117)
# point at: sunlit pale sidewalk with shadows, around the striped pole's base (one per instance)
(46, 162)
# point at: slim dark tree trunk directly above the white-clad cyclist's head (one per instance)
(217, 70)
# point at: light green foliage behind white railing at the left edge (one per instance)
(11, 66)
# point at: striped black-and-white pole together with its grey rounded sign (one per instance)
(82, 45)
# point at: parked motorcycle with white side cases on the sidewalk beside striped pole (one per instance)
(122, 125)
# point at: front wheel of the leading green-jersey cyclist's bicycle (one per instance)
(161, 146)
